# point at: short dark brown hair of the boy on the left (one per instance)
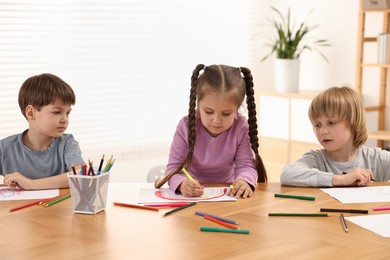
(42, 90)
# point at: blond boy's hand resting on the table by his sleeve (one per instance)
(356, 177)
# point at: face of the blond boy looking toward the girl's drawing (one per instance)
(333, 134)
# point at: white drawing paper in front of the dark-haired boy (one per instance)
(19, 194)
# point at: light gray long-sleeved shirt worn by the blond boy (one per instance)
(316, 169)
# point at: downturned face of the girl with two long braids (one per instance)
(217, 112)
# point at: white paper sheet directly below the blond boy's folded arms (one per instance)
(360, 194)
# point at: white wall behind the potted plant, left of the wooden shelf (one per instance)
(337, 22)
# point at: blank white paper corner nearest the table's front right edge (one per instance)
(378, 224)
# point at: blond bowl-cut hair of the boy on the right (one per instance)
(342, 103)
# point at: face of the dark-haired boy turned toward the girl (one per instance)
(52, 120)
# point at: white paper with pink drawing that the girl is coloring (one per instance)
(165, 195)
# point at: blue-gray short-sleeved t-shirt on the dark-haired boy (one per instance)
(58, 158)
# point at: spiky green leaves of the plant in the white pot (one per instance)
(289, 42)
